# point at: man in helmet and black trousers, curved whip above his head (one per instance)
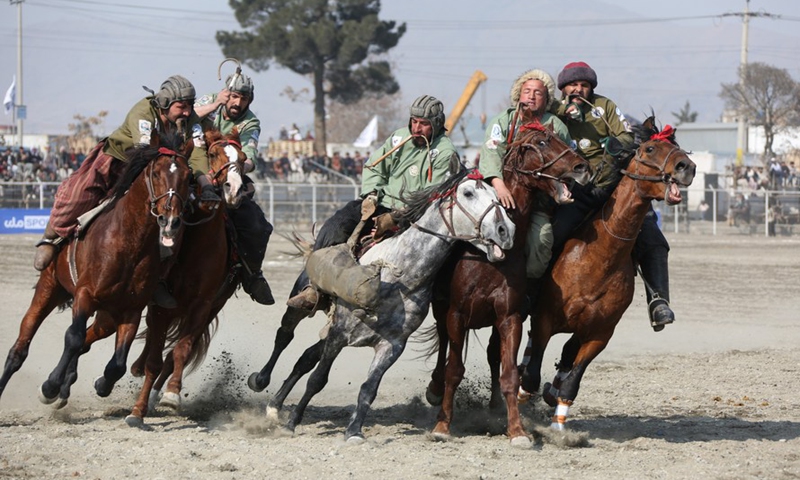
(225, 110)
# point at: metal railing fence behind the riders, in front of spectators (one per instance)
(299, 205)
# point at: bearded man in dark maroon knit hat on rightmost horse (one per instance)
(604, 138)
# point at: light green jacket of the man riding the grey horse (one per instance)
(406, 168)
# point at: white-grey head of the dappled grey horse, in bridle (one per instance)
(468, 210)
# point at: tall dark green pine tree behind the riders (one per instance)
(337, 43)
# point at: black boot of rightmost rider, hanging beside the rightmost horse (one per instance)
(656, 275)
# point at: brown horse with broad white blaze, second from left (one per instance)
(203, 280)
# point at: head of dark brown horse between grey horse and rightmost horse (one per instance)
(544, 162)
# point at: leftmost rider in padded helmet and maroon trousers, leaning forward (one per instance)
(89, 185)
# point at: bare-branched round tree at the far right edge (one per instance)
(768, 97)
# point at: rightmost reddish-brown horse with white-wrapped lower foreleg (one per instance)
(592, 281)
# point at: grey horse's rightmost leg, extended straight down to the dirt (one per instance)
(386, 354)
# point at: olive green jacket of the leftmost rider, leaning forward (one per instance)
(135, 130)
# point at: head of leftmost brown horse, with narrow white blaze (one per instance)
(168, 176)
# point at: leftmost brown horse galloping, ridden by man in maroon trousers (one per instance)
(143, 222)
